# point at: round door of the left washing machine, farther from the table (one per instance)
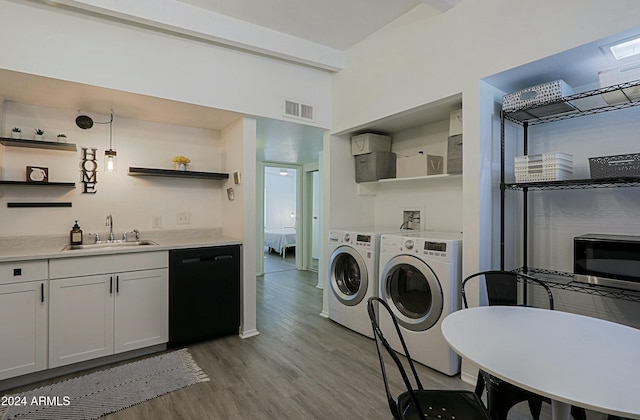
(348, 275)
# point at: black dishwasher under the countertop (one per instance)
(204, 293)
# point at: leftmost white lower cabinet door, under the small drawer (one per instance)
(23, 328)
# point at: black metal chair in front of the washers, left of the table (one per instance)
(415, 402)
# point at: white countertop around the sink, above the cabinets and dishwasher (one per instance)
(48, 247)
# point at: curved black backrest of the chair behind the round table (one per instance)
(502, 287)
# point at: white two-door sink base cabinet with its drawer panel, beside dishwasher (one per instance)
(107, 304)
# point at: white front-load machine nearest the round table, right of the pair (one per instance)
(420, 280)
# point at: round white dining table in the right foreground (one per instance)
(571, 359)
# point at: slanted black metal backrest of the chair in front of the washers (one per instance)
(378, 307)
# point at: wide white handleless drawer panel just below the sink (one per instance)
(105, 264)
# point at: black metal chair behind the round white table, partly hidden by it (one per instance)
(502, 289)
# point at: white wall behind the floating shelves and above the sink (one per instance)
(132, 201)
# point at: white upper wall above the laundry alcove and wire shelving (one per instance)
(420, 58)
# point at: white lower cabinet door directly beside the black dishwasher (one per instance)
(142, 309)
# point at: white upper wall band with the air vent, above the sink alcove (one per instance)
(55, 42)
